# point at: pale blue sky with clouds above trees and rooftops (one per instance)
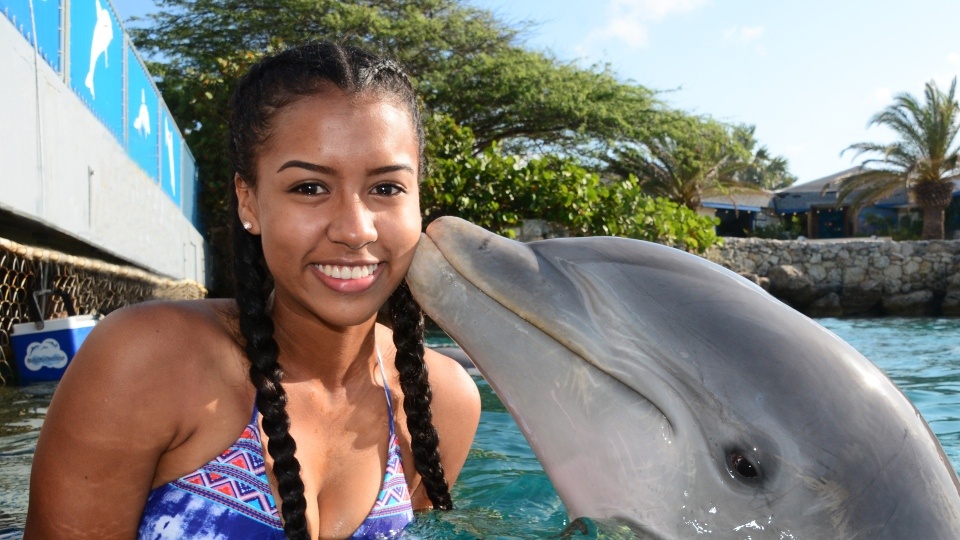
(808, 74)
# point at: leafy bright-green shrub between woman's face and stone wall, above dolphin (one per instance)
(498, 192)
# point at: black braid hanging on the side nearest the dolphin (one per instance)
(424, 441)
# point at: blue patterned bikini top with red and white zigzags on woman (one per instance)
(230, 497)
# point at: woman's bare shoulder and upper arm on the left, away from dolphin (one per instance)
(129, 411)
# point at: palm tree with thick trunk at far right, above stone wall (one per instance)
(924, 159)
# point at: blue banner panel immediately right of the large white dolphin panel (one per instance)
(143, 112)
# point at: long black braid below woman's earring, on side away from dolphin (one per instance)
(265, 373)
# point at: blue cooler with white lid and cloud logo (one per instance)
(43, 355)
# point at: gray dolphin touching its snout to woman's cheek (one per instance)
(663, 391)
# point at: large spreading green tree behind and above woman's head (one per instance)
(465, 62)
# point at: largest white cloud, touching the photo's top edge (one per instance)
(627, 20)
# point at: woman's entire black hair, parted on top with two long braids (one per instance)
(271, 84)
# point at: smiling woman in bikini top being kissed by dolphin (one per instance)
(141, 438)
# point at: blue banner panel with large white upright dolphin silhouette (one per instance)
(96, 60)
